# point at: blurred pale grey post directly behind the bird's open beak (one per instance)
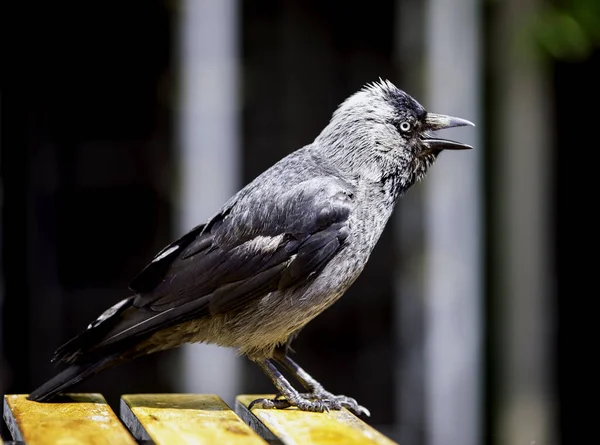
(453, 219)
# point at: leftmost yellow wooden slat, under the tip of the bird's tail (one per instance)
(76, 419)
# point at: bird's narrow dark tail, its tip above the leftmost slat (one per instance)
(71, 375)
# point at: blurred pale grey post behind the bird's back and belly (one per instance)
(208, 153)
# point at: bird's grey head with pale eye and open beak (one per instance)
(381, 131)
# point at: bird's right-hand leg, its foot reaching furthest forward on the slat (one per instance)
(317, 392)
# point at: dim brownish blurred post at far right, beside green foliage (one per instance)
(522, 191)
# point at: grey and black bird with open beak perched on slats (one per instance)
(277, 254)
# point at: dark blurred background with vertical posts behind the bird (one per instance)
(123, 124)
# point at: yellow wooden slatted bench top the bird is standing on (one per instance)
(176, 419)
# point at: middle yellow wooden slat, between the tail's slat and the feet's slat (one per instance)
(185, 419)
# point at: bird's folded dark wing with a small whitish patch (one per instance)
(253, 247)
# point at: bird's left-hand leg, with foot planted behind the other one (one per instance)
(291, 397)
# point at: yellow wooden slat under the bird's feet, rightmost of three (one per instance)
(293, 427)
